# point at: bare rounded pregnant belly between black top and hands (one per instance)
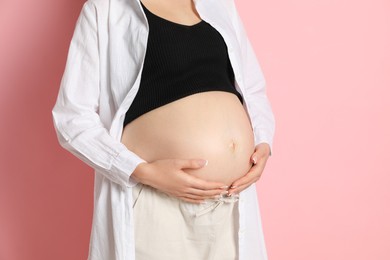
(209, 125)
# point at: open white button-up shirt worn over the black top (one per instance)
(100, 81)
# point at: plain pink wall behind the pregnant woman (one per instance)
(325, 192)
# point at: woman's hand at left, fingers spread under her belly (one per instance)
(167, 175)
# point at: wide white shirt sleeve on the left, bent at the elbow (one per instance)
(75, 114)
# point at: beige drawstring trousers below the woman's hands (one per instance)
(167, 228)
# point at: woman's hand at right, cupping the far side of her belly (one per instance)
(259, 159)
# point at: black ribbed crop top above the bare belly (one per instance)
(180, 60)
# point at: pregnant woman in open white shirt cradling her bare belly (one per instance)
(167, 102)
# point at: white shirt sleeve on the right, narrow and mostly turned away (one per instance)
(259, 107)
